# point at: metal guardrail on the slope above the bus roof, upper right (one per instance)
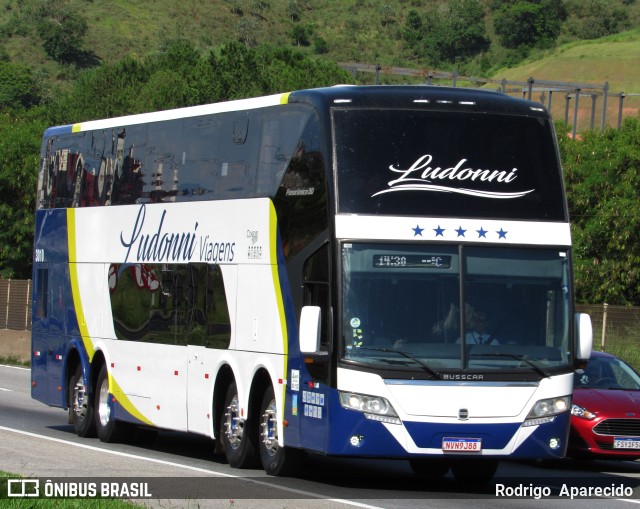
(547, 89)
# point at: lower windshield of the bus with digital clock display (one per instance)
(448, 308)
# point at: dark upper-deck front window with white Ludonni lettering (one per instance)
(462, 164)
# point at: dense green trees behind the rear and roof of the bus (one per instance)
(177, 75)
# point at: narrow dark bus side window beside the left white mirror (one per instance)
(316, 289)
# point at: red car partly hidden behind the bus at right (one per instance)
(605, 415)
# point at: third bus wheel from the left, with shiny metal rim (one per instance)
(236, 433)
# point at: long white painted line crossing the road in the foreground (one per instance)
(305, 494)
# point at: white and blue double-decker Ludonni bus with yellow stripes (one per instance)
(306, 272)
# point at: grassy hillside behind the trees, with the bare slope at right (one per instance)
(365, 31)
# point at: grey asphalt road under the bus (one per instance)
(37, 442)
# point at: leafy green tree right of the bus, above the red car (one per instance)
(602, 175)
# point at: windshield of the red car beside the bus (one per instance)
(607, 373)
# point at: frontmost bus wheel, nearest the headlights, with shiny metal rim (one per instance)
(276, 460)
